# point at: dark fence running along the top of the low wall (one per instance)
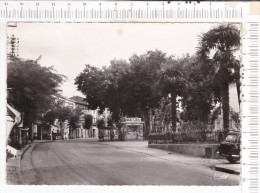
(187, 137)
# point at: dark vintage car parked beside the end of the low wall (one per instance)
(230, 147)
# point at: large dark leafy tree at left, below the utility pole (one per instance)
(31, 87)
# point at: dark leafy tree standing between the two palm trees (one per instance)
(197, 100)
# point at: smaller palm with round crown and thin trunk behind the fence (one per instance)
(172, 81)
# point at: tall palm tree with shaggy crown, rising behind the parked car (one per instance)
(222, 42)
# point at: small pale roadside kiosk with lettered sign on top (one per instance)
(133, 128)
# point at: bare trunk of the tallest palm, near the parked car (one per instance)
(225, 106)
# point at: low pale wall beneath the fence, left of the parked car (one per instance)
(200, 150)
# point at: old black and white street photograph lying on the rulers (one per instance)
(123, 104)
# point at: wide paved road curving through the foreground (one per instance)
(83, 162)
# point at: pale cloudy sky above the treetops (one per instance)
(69, 46)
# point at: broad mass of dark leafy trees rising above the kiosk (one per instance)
(125, 88)
